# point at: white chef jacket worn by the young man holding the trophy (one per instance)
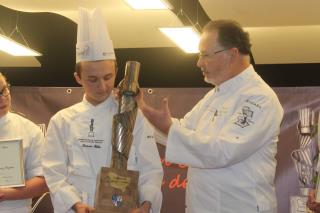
(78, 144)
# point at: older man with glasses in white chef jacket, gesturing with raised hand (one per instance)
(229, 139)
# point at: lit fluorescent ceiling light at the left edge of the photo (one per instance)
(14, 48)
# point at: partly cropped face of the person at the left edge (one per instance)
(5, 98)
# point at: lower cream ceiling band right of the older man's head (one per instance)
(285, 45)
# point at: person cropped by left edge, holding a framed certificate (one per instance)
(13, 126)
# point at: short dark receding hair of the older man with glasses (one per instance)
(230, 34)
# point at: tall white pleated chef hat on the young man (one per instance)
(93, 39)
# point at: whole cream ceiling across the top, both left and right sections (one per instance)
(282, 31)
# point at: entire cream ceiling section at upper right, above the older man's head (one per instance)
(282, 32)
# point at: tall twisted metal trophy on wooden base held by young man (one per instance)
(117, 187)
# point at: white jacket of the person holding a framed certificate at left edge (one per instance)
(13, 126)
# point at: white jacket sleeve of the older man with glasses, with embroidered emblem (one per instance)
(234, 143)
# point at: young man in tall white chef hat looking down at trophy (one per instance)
(78, 140)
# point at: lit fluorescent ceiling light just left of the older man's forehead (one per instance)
(185, 37)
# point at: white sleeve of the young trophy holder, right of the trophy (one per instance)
(149, 166)
